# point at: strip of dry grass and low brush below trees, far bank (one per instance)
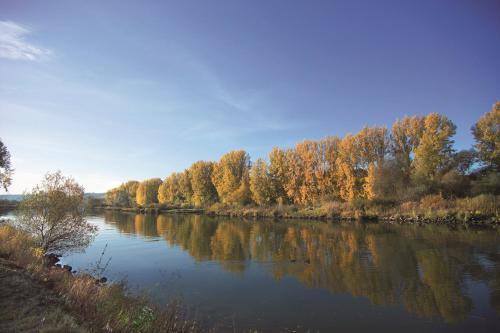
(483, 209)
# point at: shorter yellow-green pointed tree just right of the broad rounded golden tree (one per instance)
(261, 183)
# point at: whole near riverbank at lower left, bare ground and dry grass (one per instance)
(70, 301)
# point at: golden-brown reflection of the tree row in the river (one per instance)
(422, 267)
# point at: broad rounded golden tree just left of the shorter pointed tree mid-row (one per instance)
(230, 177)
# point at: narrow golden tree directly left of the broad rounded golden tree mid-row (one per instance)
(204, 192)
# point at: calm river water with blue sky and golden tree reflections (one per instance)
(306, 276)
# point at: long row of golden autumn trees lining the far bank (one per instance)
(414, 158)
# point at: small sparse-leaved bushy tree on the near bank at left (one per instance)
(54, 214)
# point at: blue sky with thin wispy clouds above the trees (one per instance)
(108, 91)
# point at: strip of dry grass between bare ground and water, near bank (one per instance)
(100, 307)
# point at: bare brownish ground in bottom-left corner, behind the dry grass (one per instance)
(26, 305)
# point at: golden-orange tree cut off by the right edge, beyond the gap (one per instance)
(487, 134)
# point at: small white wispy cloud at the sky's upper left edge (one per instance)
(13, 44)
